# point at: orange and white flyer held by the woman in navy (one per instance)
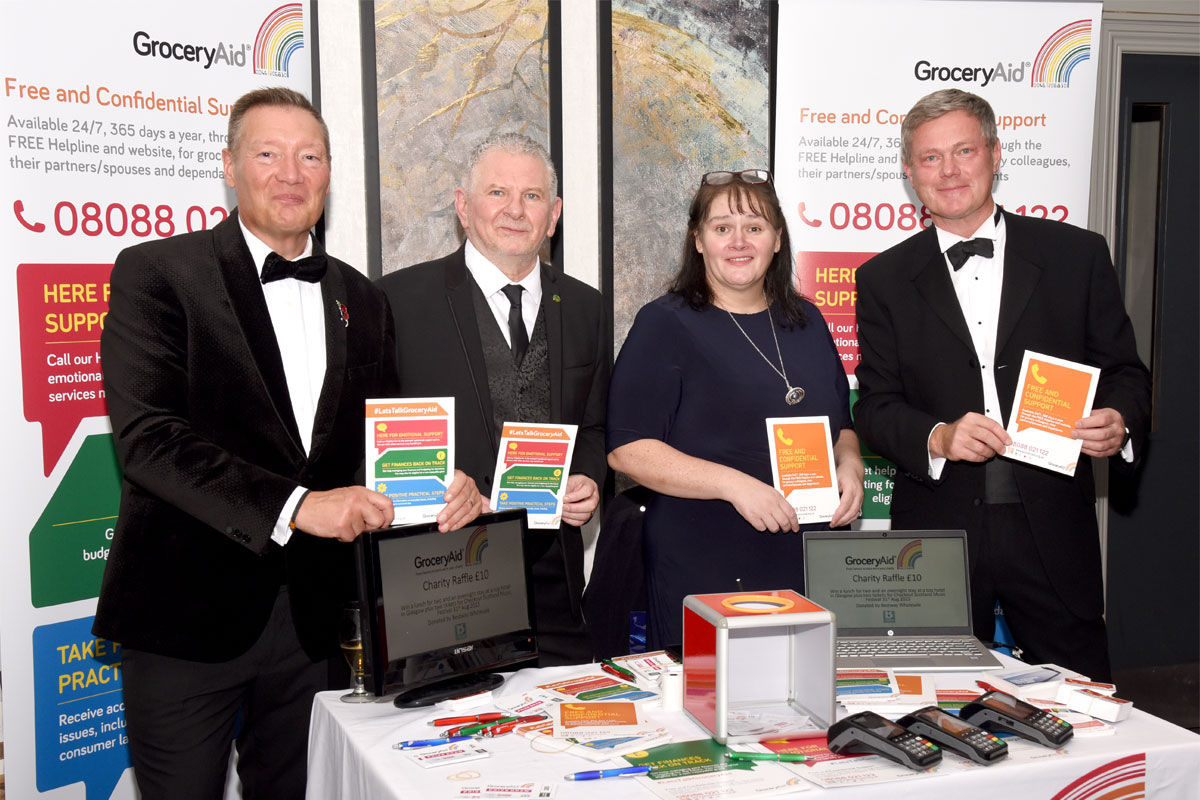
(802, 466)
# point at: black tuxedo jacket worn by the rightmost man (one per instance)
(919, 368)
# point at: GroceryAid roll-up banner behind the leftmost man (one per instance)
(115, 122)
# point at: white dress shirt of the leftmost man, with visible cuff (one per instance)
(299, 321)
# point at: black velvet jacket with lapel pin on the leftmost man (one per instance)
(211, 452)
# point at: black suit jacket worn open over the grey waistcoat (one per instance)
(441, 354)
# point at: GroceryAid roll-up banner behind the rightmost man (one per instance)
(849, 73)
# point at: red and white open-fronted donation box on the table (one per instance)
(759, 666)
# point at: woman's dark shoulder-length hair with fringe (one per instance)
(692, 284)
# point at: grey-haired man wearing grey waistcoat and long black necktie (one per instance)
(513, 340)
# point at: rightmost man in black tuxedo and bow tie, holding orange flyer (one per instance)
(944, 321)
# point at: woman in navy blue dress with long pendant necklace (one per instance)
(704, 366)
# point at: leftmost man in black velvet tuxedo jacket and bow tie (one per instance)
(237, 402)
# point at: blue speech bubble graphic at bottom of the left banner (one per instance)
(79, 709)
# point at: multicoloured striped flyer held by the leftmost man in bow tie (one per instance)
(410, 454)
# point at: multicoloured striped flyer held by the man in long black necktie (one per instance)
(532, 468)
